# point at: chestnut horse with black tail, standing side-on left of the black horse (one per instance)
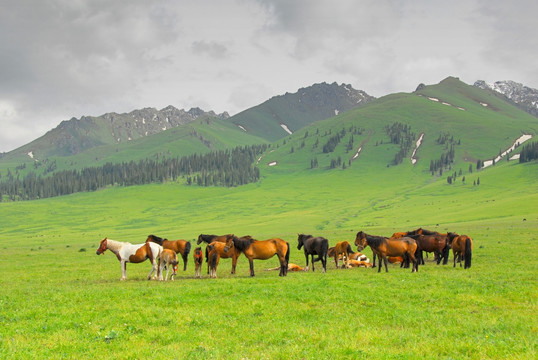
(261, 249)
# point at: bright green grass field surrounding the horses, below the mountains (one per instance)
(59, 300)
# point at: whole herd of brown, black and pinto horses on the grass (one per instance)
(406, 248)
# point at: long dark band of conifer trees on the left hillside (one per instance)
(221, 168)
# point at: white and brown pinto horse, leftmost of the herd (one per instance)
(127, 252)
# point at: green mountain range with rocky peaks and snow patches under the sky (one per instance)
(318, 128)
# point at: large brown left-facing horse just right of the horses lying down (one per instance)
(384, 247)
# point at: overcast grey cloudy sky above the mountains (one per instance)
(68, 58)
